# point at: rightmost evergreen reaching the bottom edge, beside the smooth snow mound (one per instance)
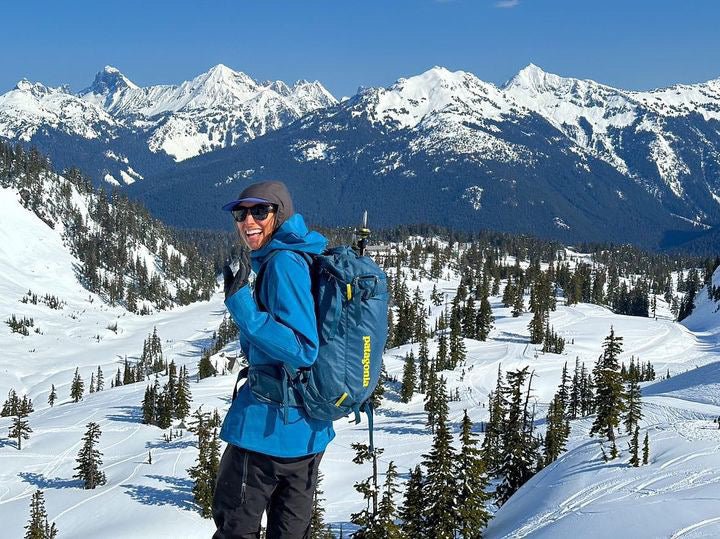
(472, 516)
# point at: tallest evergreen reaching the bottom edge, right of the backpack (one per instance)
(440, 490)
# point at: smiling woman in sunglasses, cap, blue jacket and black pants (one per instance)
(272, 458)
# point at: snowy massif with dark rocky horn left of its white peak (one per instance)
(215, 109)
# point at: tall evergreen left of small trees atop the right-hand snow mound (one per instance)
(609, 397)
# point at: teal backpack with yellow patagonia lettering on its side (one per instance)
(351, 304)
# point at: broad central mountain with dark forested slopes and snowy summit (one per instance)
(485, 159)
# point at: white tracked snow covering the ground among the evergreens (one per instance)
(674, 496)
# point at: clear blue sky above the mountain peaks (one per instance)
(633, 44)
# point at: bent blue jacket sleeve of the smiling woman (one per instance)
(288, 331)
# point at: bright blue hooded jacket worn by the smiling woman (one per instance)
(286, 333)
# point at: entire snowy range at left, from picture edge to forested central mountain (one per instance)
(114, 125)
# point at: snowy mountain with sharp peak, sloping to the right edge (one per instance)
(666, 140)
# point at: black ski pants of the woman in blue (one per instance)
(250, 483)
